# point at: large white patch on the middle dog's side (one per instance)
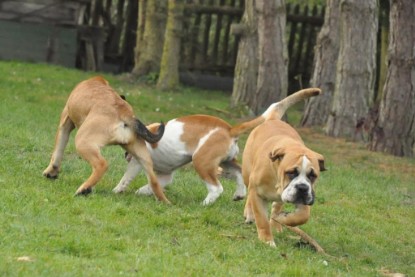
(170, 152)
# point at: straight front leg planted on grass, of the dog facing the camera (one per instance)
(259, 208)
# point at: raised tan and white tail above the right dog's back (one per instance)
(275, 110)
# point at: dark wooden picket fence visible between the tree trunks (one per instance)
(208, 46)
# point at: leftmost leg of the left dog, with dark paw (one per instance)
(61, 140)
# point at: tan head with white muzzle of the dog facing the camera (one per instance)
(298, 169)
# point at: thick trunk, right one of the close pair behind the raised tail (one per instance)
(272, 80)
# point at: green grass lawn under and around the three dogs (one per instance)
(364, 215)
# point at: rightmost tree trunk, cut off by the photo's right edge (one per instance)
(394, 131)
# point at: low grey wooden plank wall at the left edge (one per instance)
(38, 43)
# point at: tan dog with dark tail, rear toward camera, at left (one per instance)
(102, 118)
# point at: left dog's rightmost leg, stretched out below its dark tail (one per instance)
(139, 150)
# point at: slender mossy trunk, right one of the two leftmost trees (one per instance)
(169, 69)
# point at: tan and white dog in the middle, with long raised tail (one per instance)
(209, 142)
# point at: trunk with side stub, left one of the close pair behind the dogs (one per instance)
(246, 68)
